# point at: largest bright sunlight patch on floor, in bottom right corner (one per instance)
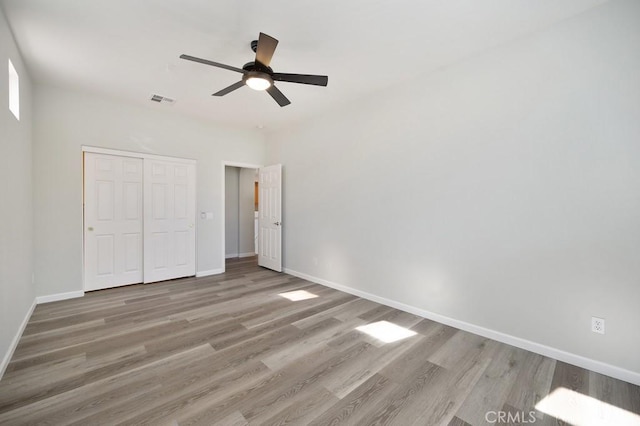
(578, 409)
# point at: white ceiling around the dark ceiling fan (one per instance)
(129, 49)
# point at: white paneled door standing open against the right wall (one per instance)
(270, 217)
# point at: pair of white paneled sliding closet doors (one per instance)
(139, 219)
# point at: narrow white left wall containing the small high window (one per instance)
(17, 293)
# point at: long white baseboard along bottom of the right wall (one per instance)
(558, 354)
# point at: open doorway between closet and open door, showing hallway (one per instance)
(241, 208)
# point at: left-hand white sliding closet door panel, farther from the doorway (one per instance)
(113, 221)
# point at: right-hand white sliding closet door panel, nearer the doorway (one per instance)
(169, 219)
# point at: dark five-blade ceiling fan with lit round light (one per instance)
(258, 75)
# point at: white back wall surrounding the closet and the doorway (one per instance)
(65, 120)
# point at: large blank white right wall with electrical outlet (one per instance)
(503, 192)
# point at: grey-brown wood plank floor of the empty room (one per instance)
(228, 350)
